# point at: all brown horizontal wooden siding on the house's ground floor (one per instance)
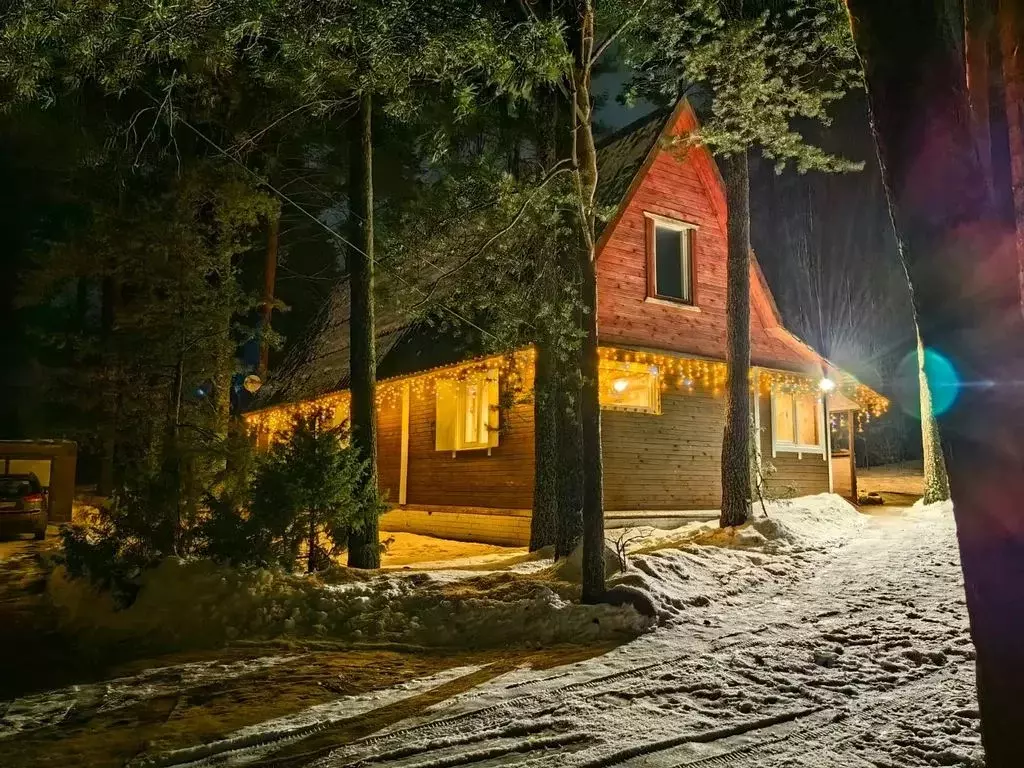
(652, 462)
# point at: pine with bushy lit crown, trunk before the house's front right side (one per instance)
(760, 68)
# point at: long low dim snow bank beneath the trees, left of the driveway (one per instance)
(199, 604)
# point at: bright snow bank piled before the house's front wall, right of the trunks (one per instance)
(702, 565)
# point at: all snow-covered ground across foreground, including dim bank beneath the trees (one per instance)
(814, 637)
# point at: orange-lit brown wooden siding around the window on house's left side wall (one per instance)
(471, 479)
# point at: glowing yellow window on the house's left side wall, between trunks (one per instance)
(467, 413)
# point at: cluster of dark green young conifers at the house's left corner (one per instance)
(300, 500)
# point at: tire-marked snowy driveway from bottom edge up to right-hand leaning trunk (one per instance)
(863, 660)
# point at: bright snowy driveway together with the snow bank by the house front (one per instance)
(817, 637)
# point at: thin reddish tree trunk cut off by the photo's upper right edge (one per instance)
(1011, 23)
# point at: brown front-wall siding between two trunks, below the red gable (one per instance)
(667, 462)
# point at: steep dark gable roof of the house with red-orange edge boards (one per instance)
(320, 361)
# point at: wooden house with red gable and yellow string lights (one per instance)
(454, 464)
